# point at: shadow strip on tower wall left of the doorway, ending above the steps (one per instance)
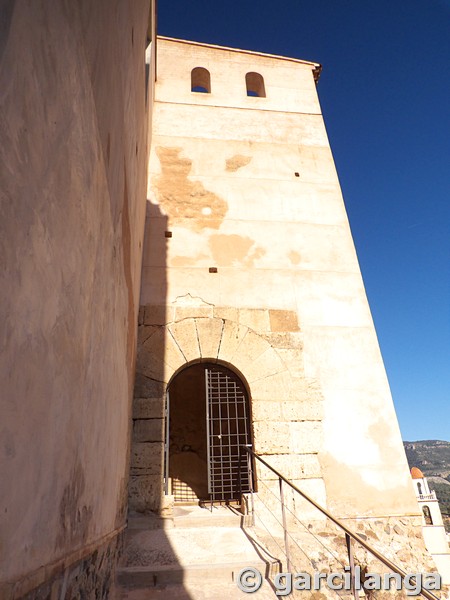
(146, 491)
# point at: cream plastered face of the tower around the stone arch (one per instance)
(248, 186)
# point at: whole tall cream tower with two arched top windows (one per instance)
(252, 297)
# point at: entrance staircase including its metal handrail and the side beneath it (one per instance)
(198, 553)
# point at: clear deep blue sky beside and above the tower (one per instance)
(385, 96)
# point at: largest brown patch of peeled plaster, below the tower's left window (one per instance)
(183, 199)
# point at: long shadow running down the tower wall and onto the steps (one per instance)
(148, 550)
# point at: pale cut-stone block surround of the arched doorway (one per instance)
(286, 406)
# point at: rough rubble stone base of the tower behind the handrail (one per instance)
(319, 546)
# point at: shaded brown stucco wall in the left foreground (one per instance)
(73, 156)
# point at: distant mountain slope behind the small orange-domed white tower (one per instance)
(432, 457)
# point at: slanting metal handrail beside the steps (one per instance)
(349, 533)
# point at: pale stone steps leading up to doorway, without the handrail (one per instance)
(194, 555)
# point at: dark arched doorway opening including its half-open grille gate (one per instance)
(208, 418)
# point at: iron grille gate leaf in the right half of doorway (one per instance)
(228, 427)
